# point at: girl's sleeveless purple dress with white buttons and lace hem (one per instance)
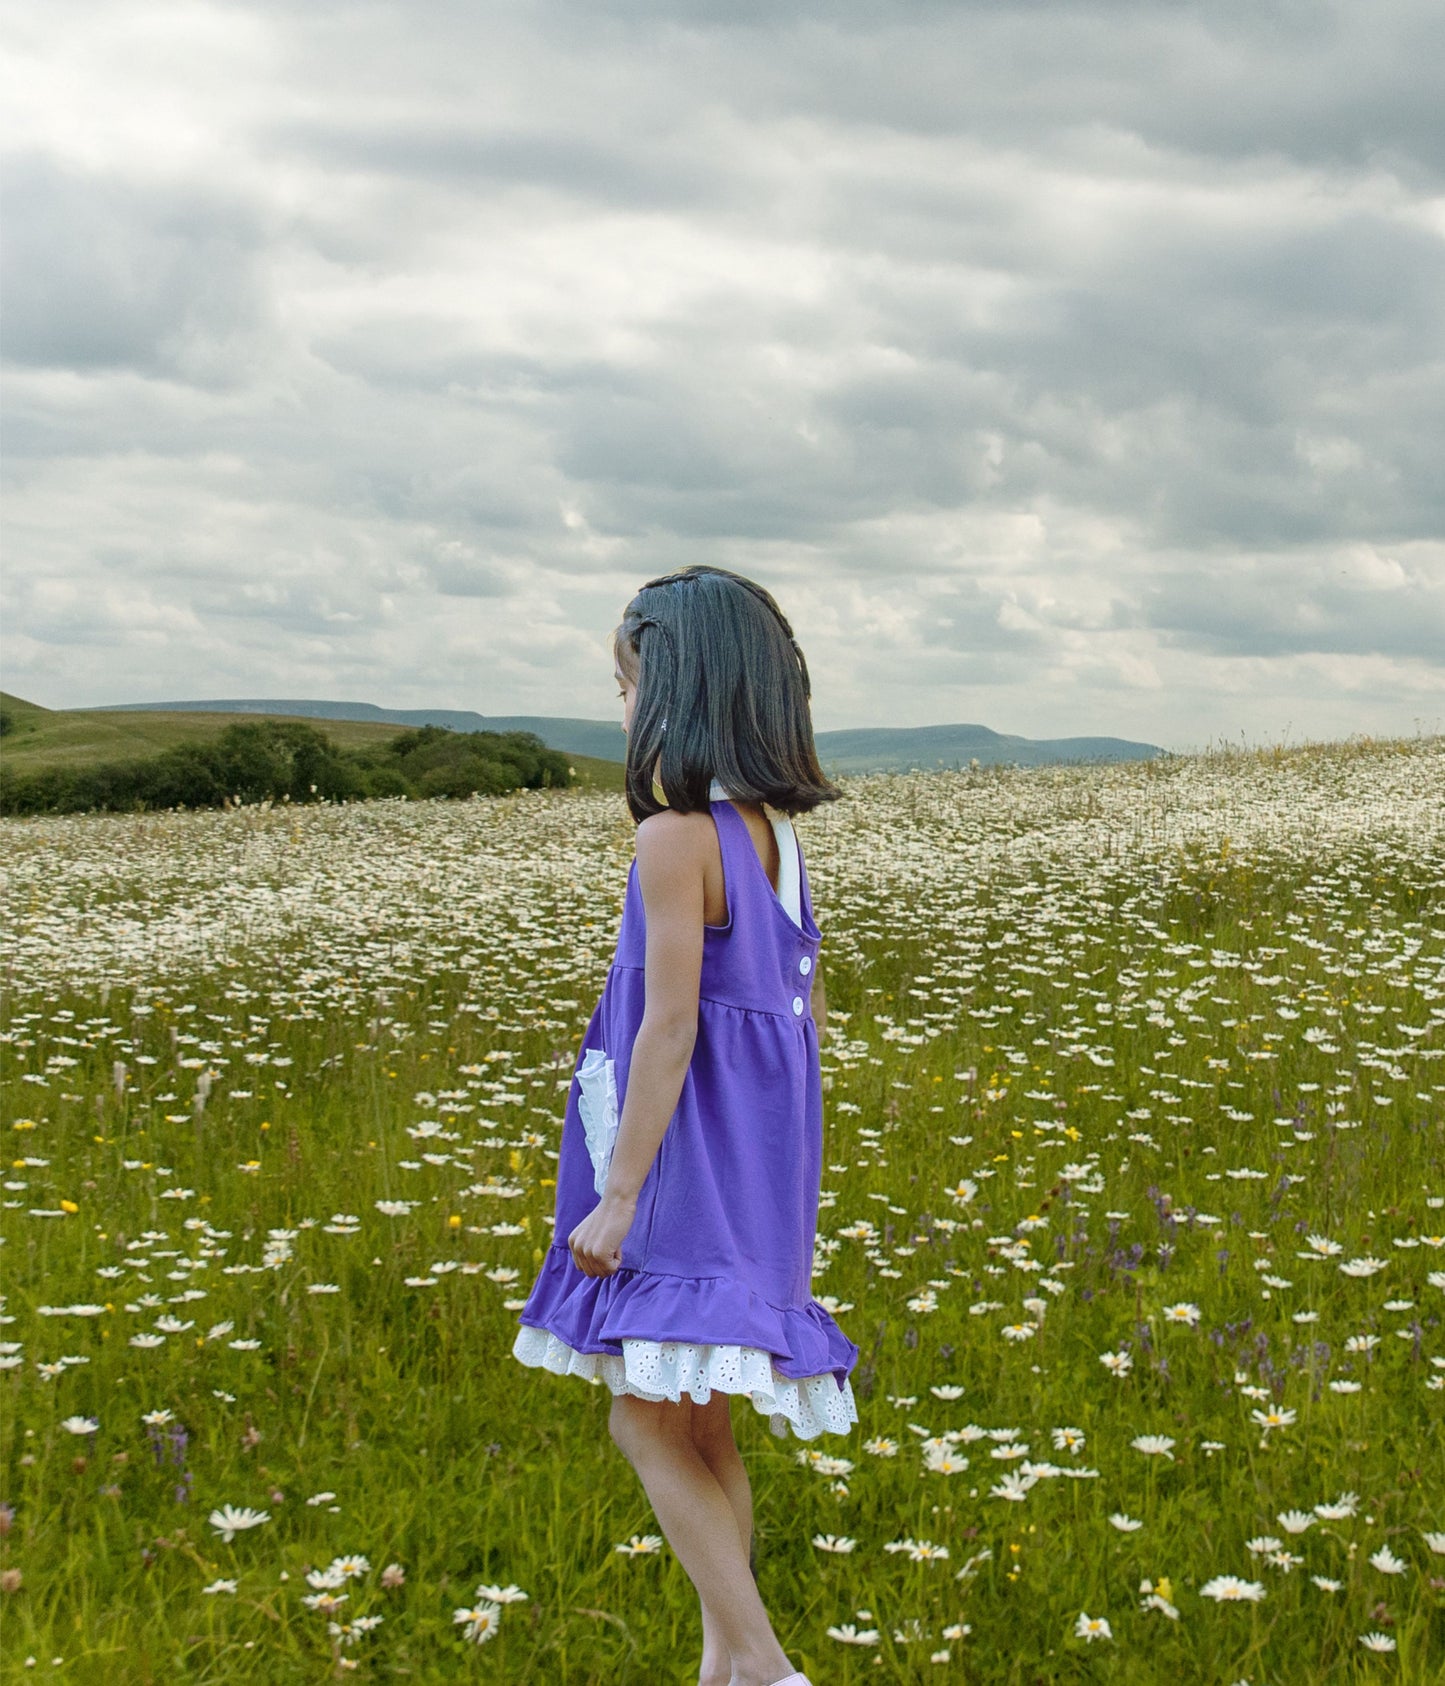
(714, 1289)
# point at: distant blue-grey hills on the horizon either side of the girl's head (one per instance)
(862, 749)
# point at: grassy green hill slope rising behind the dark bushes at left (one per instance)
(80, 738)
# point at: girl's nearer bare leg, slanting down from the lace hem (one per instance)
(701, 1525)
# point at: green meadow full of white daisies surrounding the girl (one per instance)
(1134, 1201)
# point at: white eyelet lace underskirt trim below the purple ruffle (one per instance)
(667, 1370)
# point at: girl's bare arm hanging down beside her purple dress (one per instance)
(670, 876)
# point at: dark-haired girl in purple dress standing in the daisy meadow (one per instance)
(692, 1146)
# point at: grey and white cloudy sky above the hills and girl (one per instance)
(1068, 368)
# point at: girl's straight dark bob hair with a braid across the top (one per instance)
(722, 694)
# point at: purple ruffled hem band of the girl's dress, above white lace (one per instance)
(596, 1314)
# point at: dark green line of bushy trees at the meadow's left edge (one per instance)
(289, 761)
